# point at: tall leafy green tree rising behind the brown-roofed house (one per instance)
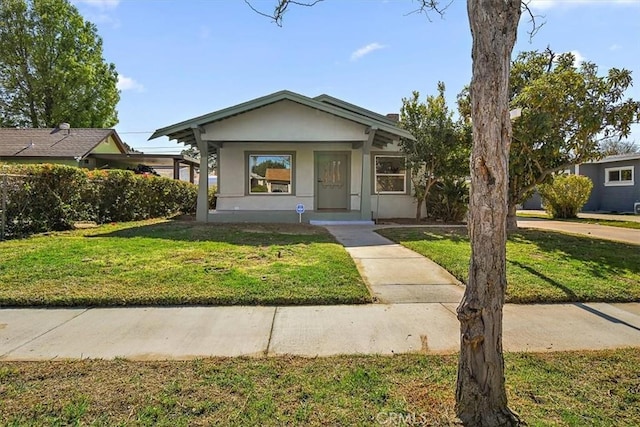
(51, 68)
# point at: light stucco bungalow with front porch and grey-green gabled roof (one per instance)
(340, 161)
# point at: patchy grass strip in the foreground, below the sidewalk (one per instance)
(574, 389)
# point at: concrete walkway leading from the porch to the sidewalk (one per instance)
(393, 273)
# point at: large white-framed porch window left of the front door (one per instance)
(270, 173)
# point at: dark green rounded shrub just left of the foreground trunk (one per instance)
(448, 200)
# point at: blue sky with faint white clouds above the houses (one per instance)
(181, 58)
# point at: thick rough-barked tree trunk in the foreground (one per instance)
(480, 394)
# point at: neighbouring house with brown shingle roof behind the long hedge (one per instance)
(87, 148)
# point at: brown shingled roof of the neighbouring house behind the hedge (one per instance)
(54, 143)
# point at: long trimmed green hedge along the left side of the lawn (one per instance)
(51, 197)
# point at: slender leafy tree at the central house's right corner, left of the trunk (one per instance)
(440, 148)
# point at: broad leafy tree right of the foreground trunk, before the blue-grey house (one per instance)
(567, 110)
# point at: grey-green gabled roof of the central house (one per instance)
(183, 131)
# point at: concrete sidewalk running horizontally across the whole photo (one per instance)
(154, 333)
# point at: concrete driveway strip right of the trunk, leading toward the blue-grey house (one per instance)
(606, 232)
